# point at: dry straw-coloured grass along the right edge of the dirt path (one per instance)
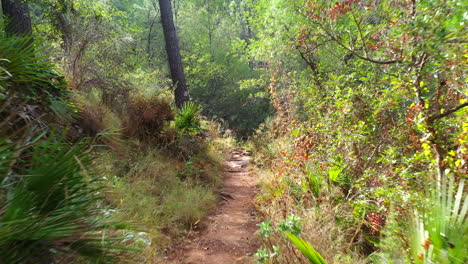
(323, 221)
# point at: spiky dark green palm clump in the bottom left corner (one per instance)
(50, 206)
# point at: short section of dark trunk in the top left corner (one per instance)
(18, 20)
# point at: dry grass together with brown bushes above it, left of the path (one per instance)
(162, 183)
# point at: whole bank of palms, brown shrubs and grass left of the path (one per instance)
(88, 181)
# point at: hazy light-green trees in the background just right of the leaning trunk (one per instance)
(222, 77)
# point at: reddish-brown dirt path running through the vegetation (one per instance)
(229, 236)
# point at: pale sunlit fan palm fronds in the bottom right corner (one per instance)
(439, 232)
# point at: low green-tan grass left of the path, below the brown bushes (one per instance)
(164, 197)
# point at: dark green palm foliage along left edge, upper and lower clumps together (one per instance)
(49, 203)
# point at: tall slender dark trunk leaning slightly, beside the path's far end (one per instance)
(173, 54)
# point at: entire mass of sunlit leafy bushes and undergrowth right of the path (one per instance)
(366, 158)
